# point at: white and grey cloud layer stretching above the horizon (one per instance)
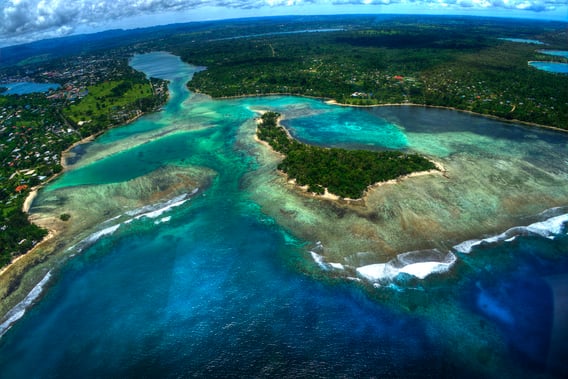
(24, 20)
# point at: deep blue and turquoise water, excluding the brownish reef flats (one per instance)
(215, 288)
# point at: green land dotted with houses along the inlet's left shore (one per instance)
(35, 130)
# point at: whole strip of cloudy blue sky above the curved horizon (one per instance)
(24, 21)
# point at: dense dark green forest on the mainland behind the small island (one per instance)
(452, 62)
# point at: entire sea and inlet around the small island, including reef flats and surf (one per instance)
(187, 250)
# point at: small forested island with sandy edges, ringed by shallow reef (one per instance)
(345, 173)
